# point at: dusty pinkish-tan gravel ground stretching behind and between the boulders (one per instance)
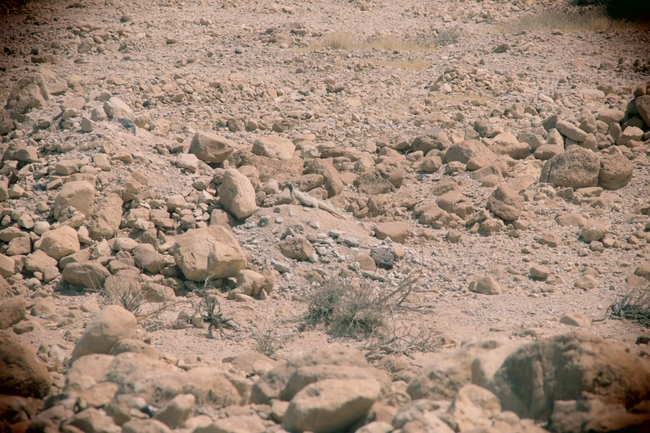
(228, 66)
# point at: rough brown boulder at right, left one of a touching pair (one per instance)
(577, 167)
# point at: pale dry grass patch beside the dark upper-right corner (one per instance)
(547, 21)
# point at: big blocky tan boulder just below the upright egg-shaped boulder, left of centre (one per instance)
(208, 253)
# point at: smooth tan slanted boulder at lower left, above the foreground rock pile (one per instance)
(111, 325)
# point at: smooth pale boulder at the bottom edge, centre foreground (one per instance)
(331, 405)
